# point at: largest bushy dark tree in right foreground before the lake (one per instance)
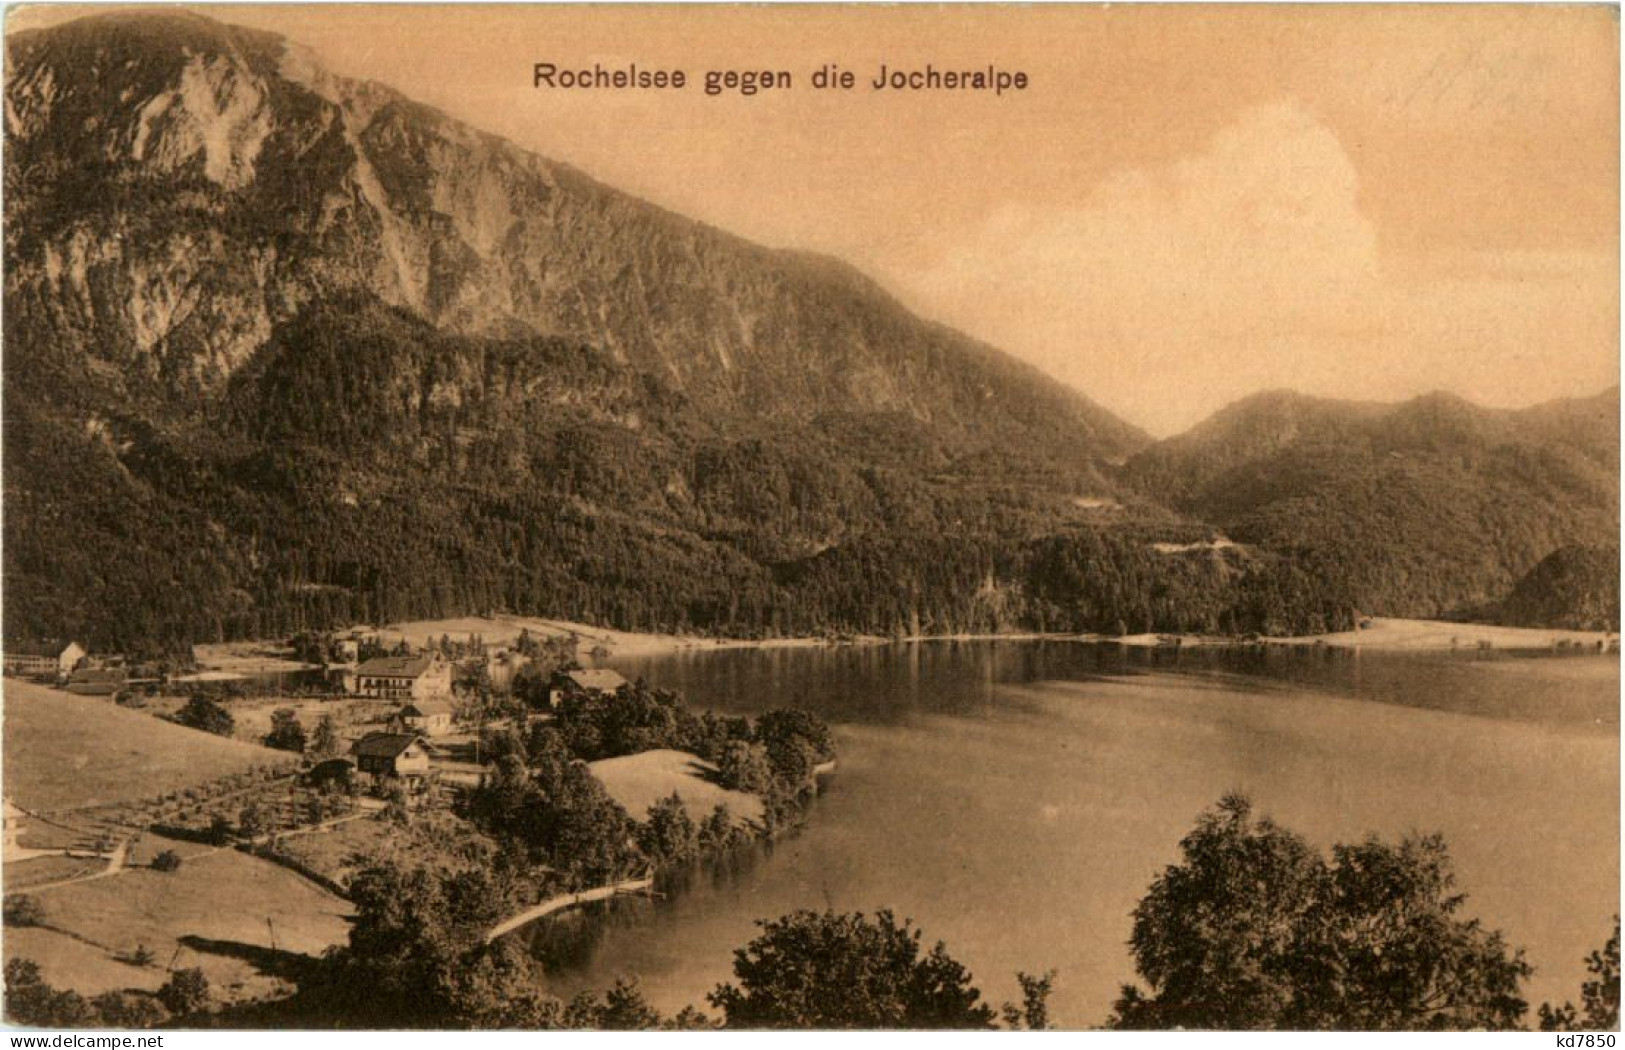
(1257, 931)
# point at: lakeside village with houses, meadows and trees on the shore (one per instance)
(163, 822)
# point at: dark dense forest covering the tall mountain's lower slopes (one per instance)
(368, 467)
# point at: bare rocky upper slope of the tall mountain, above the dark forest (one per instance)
(181, 188)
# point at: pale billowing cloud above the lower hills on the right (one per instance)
(1171, 292)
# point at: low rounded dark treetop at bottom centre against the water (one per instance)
(830, 971)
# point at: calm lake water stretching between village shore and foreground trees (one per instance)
(1016, 799)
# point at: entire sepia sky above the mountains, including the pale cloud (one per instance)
(1187, 206)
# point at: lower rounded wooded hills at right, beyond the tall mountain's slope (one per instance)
(1431, 508)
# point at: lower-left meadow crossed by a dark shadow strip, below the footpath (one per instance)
(210, 914)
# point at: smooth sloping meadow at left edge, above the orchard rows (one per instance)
(67, 752)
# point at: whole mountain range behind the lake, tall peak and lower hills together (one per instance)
(287, 350)
